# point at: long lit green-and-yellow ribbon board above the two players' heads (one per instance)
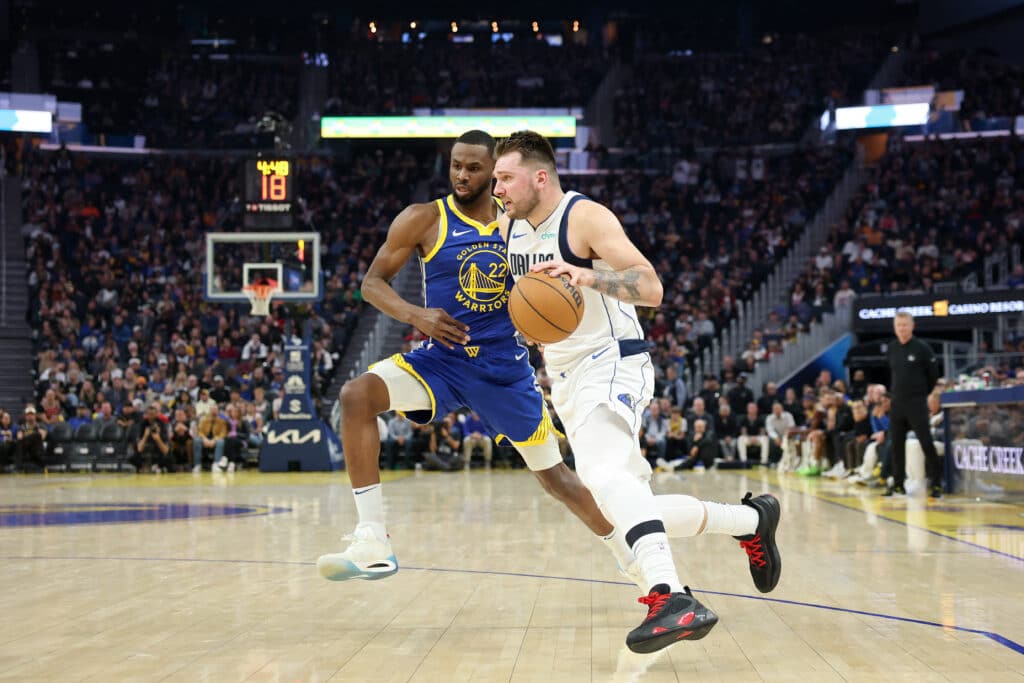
(363, 127)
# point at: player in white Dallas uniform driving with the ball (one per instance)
(603, 379)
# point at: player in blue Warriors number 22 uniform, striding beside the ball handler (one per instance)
(473, 359)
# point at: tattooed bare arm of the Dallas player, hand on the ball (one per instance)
(594, 230)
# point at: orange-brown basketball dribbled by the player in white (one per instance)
(545, 310)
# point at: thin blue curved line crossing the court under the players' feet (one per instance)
(1002, 641)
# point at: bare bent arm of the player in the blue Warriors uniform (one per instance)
(411, 229)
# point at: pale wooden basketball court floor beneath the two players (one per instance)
(176, 578)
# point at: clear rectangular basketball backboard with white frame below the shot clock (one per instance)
(235, 261)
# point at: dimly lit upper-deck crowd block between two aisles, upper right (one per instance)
(769, 94)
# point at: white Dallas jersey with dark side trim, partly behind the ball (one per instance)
(605, 320)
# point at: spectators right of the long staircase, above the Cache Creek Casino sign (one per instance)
(931, 214)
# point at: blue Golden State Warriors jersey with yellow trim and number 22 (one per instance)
(467, 275)
